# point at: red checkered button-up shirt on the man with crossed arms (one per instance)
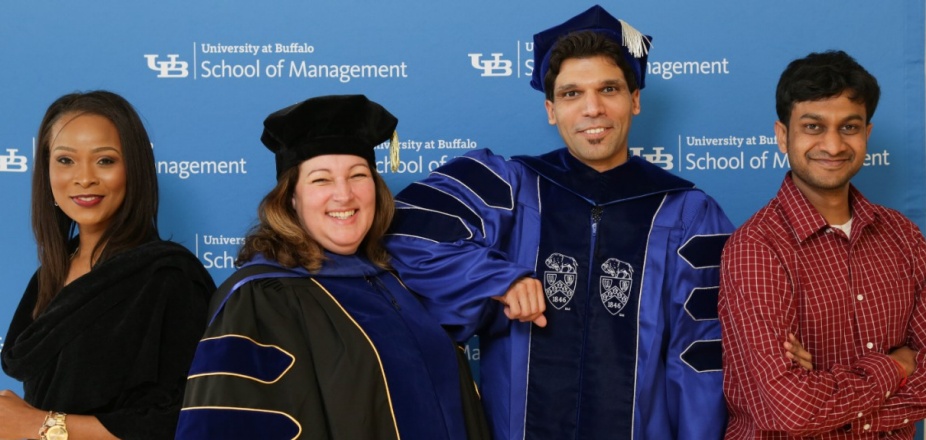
(849, 300)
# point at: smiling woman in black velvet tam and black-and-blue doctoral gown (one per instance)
(314, 337)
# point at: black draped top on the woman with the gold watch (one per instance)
(117, 342)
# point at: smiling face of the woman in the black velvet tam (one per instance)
(335, 199)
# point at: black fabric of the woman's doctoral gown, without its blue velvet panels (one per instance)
(331, 356)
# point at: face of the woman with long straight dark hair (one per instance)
(87, 170)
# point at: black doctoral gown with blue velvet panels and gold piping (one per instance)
(346, 353)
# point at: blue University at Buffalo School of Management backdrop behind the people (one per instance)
(204, 74)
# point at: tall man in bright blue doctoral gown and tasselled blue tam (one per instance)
(591, 277)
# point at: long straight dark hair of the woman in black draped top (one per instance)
(134, 223)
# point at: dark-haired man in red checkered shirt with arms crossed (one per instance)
(821, 298)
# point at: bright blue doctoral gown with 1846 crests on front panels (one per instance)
(609, 364)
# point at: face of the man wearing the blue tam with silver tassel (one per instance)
(592, 108)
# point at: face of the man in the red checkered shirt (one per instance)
(825, 141)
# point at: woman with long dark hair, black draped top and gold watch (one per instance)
(106, 330)
